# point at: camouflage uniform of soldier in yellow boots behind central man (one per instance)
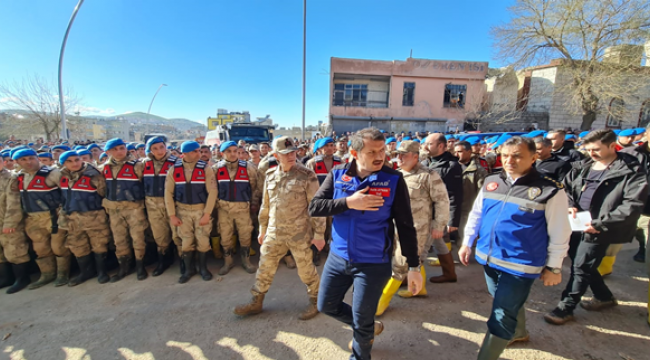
(428, 196)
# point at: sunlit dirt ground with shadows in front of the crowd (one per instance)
(161, 319)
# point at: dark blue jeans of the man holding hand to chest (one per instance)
(368, 281)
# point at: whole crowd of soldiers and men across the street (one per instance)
(380, 202)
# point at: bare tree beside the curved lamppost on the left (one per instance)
(38, 98)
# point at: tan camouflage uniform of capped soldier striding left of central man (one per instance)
(285, 221)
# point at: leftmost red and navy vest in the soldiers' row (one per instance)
(38, 196)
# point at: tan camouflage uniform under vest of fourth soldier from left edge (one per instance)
(127, 218)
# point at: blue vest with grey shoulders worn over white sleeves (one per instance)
(513, 234)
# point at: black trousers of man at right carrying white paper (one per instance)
(586, 258)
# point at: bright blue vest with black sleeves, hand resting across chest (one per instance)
(364, 236)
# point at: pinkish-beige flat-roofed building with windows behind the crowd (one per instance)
(411, 95)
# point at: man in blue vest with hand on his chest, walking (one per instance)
(367, 200)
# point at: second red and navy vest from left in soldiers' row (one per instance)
(82, 195)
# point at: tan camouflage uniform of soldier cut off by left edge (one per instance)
(13, 247)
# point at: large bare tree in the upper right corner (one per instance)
(578, 32)
